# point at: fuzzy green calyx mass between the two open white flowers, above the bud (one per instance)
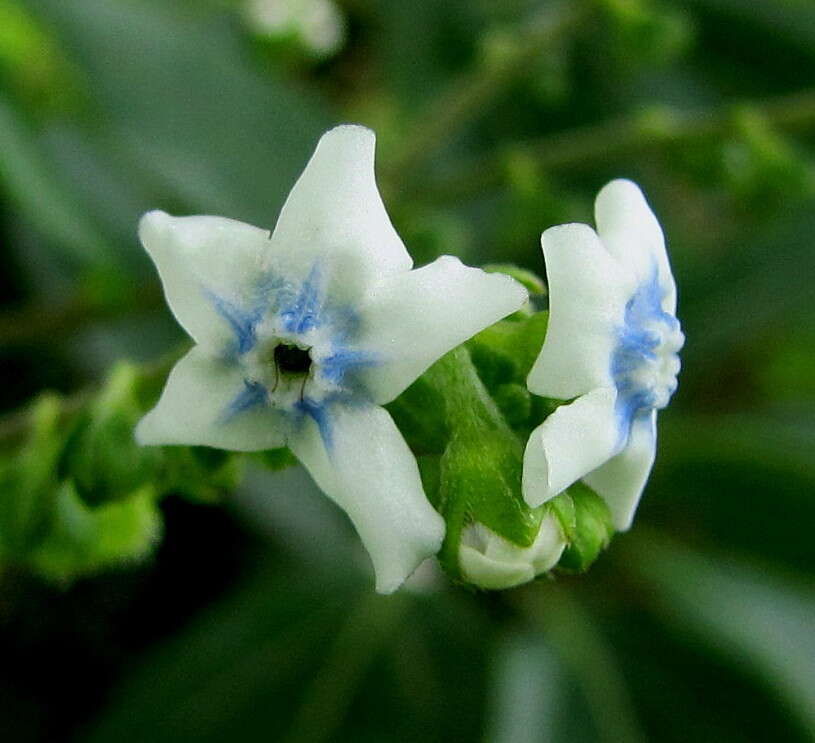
(468, 419)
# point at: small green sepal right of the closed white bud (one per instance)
(586, 522)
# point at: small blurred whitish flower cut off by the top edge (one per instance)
(317, 24)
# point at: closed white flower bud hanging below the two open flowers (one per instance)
(489, 561)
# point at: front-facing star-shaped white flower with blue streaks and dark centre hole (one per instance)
(303, 334)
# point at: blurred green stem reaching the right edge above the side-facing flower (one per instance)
(658, 127)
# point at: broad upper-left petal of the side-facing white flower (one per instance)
(587, 294)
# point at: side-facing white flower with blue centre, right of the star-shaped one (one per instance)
(611, 347)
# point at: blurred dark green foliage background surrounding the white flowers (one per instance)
(240, 608)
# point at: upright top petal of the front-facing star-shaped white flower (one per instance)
(334, 213)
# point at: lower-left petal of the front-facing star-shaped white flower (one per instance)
(206, 403)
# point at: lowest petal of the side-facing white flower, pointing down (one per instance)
(621, 480)
